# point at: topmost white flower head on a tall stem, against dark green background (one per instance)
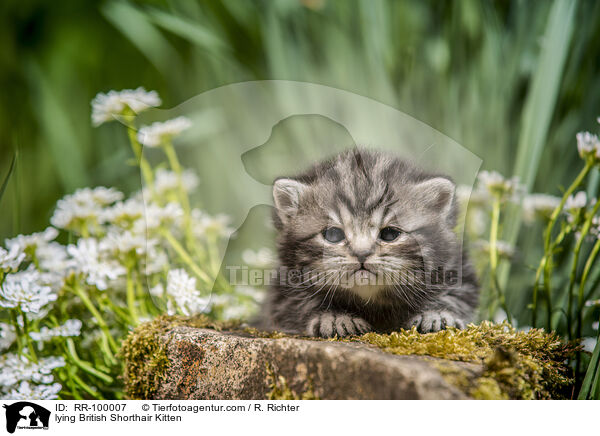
(107, 107)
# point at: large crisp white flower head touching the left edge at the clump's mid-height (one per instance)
(23, 289)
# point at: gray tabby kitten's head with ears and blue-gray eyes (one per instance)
(364, 226)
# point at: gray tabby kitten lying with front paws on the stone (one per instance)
(366, 243)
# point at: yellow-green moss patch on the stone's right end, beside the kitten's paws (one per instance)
(519, 365)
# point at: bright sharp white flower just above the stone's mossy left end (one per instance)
(184, 295)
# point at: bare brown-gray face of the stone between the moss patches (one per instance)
(208, 364)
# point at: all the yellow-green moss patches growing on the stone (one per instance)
(518, 365)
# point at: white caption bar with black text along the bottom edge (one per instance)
(295, 417)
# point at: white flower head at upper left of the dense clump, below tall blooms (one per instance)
(83, 206)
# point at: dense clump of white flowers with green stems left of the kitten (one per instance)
(127, 259)
